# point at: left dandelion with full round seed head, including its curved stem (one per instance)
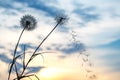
(28, 22)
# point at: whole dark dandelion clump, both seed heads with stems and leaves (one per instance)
(28, 22)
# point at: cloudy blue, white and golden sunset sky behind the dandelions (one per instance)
(93, 25)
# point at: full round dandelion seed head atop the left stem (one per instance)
(28, 22)
